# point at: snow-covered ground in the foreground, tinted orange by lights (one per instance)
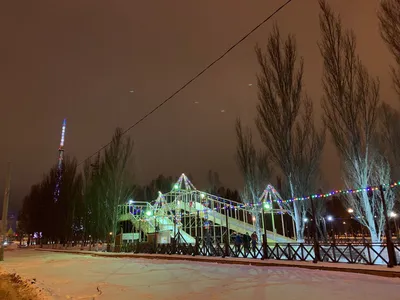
(69, 276)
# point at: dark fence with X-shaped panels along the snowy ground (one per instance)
(368, 254)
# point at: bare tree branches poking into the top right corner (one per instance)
(389, 17)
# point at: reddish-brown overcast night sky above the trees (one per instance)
(80, 59)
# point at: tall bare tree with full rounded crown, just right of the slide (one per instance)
(285, 121)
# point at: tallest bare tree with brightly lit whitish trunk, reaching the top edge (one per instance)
(350, 103)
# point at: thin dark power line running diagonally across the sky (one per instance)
(195, 77)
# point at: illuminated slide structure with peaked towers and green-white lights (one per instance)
(196, 214)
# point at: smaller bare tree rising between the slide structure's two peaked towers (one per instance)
(255, 169)
